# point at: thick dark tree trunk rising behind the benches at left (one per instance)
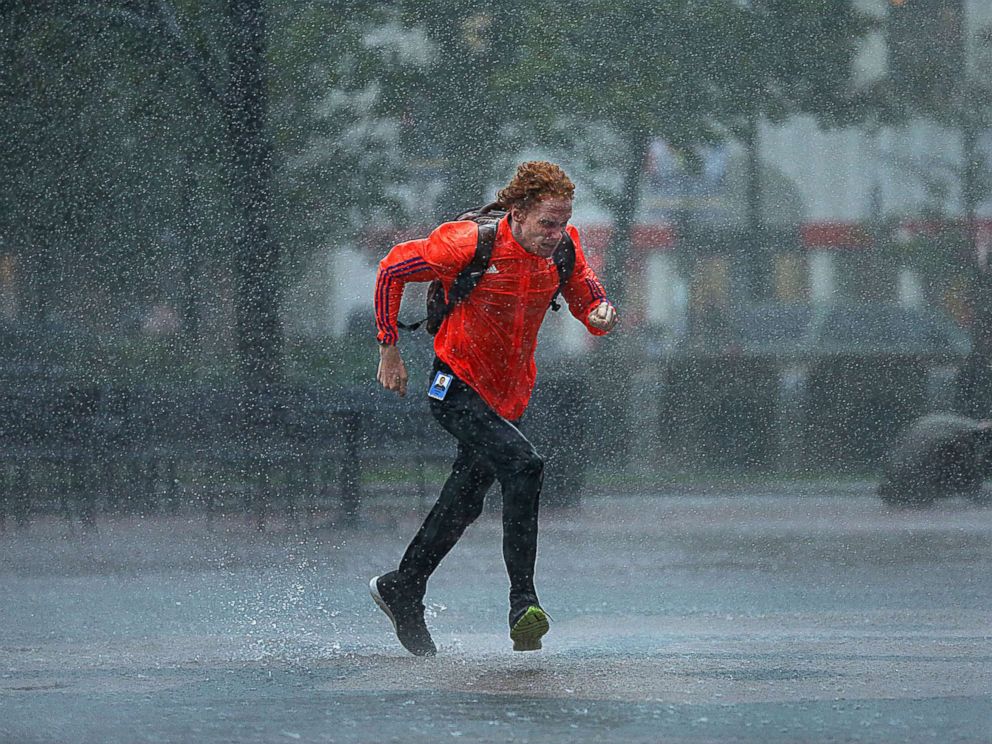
(257, 257)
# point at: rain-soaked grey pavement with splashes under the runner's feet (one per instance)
(807, 614)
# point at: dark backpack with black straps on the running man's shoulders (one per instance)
(487, 218)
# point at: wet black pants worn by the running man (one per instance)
(489, 448)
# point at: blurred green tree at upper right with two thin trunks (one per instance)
(689, 72)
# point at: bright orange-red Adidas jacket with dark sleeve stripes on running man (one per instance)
(488, 340)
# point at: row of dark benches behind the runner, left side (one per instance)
(302, 452)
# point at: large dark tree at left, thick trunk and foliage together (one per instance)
(147, 134)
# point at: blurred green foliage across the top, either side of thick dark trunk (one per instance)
(115, 138)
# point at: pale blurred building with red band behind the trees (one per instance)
(847, 212)
